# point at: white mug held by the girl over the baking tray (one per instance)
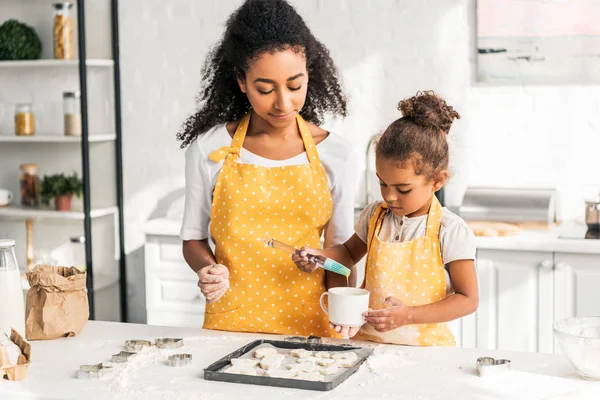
(346, 306)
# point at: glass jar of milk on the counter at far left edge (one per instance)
(12, 303)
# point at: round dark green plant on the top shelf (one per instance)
(19, 41)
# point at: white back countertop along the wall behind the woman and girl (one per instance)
(524, 241)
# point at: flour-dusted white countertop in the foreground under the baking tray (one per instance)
(391, 372)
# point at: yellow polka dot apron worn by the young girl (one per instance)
(413, 273)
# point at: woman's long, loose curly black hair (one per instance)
(260, 26)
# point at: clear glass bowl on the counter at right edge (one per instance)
(579, 340)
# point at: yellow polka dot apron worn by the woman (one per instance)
(268, 293)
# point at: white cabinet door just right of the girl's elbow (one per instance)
(516, 291)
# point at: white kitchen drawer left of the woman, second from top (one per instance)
(168, 292)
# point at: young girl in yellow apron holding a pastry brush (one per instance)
(420, 267)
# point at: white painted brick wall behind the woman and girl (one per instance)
(529, 136)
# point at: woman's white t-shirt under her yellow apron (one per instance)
(201, 174)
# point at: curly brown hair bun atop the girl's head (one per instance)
(429, 110)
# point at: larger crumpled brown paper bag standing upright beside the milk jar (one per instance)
(57, 303)
